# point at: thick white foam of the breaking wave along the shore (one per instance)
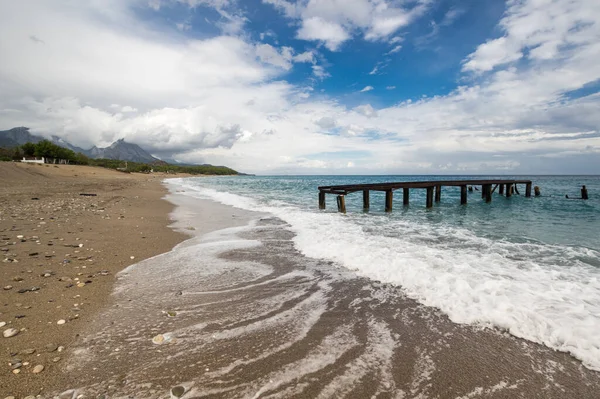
(543, 293)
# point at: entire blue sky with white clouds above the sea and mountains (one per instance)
(313, 86)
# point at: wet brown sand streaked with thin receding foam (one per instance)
(239, 313)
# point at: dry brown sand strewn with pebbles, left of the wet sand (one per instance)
(59, 252)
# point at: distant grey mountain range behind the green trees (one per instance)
(120, 149)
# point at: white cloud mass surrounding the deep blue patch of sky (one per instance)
(104, 74)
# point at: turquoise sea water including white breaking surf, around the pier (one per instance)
(530, 266)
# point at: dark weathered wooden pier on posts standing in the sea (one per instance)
(434, 191)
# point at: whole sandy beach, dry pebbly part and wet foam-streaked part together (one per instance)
(232, 311)
